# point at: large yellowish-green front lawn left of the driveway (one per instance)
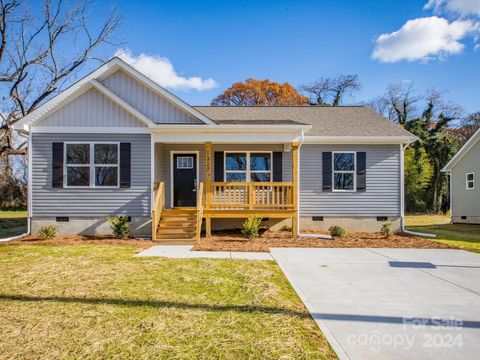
(98, 301)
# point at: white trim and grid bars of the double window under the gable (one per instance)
(91, 165)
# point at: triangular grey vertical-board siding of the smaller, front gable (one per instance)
(91, 109)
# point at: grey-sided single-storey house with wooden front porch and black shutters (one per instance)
(118, 143)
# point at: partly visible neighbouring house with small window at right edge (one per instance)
(464, 171)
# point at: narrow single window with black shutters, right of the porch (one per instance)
(344, 171)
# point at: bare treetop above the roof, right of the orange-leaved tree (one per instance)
(330, 91)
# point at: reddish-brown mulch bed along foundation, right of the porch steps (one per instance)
(234, 241)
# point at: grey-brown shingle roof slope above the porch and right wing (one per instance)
(325, 120)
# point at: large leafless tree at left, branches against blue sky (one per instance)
(40, 54)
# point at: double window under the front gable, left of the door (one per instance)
(91, 165)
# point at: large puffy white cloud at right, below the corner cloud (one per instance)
(423, 39)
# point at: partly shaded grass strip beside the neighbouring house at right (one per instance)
(464, 236)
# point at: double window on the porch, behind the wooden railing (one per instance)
(248, 166)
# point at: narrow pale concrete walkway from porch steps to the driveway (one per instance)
(181, 252)
